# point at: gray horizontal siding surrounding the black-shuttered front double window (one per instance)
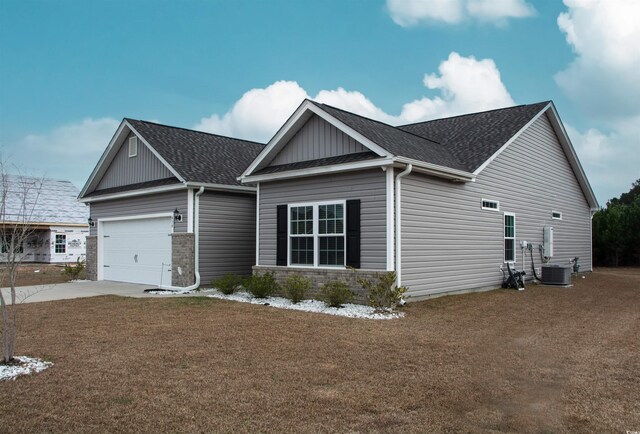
(369, 186)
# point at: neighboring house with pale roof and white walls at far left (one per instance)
(49, 211)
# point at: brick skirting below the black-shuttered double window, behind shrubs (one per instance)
(320, 276)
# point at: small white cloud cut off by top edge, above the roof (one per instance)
(408, 13)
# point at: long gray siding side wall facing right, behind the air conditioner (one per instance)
(449, 243)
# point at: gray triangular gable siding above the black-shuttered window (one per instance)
(317, 139)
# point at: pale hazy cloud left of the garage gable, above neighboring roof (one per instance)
(67, 152)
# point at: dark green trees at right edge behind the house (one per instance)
(616, 230)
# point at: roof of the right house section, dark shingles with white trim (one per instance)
(456, 148)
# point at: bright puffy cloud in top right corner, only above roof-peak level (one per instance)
(603, 78)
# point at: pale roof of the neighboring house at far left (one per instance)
(48, 201)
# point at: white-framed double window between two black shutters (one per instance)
(317, 234)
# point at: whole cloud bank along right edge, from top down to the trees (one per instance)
(602, 80)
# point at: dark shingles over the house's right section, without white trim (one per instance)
(461, 142)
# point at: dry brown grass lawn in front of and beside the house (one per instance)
(542, 360)
